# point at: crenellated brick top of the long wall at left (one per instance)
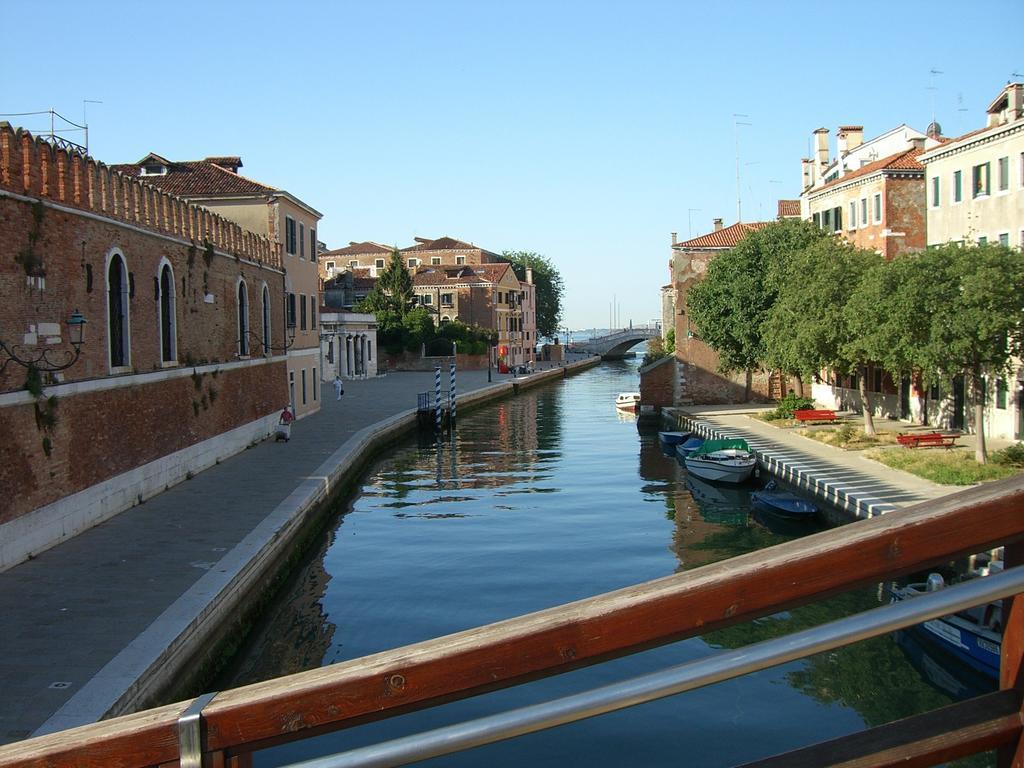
(31, 166)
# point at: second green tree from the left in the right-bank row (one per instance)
(807, 330)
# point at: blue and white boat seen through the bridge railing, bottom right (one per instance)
(973, 636)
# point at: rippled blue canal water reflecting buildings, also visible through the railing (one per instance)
(540, 500)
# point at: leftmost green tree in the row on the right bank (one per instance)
(731, 306)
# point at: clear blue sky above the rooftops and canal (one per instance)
(585, 132)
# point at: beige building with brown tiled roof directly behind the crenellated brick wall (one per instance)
(217, 185)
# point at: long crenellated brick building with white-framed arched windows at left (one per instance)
(167, 381)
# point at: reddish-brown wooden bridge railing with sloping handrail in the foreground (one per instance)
(240, 721)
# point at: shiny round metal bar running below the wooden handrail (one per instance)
(675, 679)
